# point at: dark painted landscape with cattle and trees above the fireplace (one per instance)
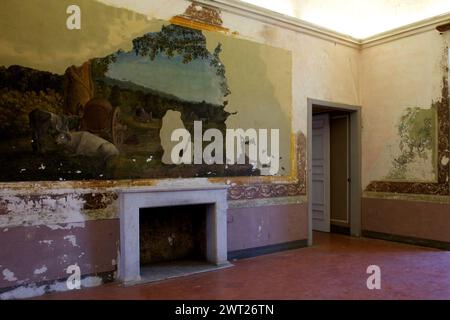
(103, 119)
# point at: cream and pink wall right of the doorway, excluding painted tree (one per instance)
(404, 73)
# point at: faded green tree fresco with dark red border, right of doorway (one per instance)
(417, 139)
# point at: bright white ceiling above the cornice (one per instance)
(357, 18)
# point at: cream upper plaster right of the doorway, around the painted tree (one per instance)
(397, 75)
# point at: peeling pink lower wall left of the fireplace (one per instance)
(38, 254)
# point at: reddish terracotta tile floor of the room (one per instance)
(334, 268)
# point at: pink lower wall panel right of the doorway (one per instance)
(423, 220)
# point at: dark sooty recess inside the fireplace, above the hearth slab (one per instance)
(172, 234)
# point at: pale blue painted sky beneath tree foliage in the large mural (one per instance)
(195, 81)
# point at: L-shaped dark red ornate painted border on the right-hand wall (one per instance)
(441, 187)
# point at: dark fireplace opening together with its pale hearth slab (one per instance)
(174, 241)
